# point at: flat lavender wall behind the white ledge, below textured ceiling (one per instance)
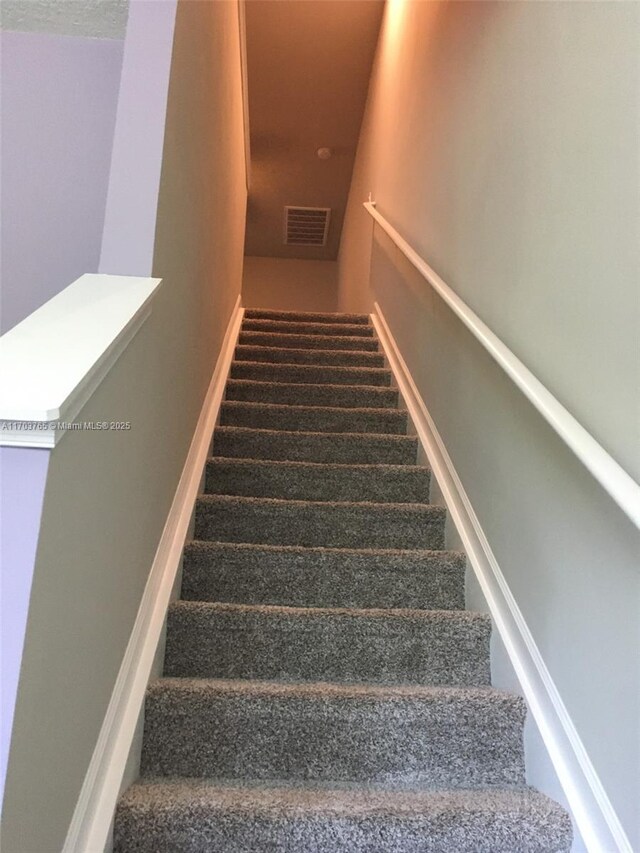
(59, 97)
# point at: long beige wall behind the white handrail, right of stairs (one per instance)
(501, 140)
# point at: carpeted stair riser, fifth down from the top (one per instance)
(307, 374)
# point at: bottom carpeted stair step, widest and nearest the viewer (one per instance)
(195, 816)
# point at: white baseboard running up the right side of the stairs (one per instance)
(591, 808)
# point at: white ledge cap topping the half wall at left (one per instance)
(53, 360)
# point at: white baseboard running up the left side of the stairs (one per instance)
(91, 821)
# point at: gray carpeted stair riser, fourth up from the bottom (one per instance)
(321, 578)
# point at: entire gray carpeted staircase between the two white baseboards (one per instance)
(324, 689)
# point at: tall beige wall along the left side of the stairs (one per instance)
(108, 493)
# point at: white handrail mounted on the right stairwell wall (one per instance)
(612, 477)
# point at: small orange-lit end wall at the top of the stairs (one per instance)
(290, 284)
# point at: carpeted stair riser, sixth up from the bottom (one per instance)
(399, 484)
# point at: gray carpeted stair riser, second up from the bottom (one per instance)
(460, 742)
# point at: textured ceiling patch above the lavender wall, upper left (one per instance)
(93, 18)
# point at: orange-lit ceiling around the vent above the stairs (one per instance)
(308, 67)
